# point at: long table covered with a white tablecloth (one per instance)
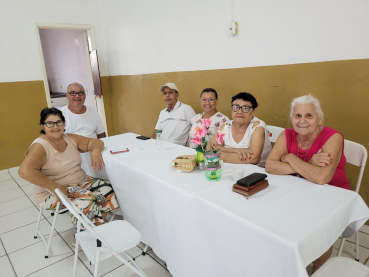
(202, 228)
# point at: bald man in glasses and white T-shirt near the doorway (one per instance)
(81, 120)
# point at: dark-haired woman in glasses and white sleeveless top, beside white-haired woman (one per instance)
(245, 137)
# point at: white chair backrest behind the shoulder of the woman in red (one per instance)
(356, 154)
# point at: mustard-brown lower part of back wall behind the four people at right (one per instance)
(342, 87)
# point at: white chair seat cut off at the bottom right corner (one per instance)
(342, 267)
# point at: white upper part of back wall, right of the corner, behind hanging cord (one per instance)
(146, 36)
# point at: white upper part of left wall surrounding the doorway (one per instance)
(19, 54)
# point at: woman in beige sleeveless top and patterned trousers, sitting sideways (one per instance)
(53, 161)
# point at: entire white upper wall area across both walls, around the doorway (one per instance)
(147, 36)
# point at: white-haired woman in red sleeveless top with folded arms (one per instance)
(310, 150)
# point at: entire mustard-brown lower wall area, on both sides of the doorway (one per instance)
(132, 103)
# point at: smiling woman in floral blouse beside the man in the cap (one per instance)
(209, 100)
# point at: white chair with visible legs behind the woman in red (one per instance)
(355, 154)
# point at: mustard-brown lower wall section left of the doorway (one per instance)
(20, 107)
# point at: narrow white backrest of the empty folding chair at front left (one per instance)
(80, 216)
